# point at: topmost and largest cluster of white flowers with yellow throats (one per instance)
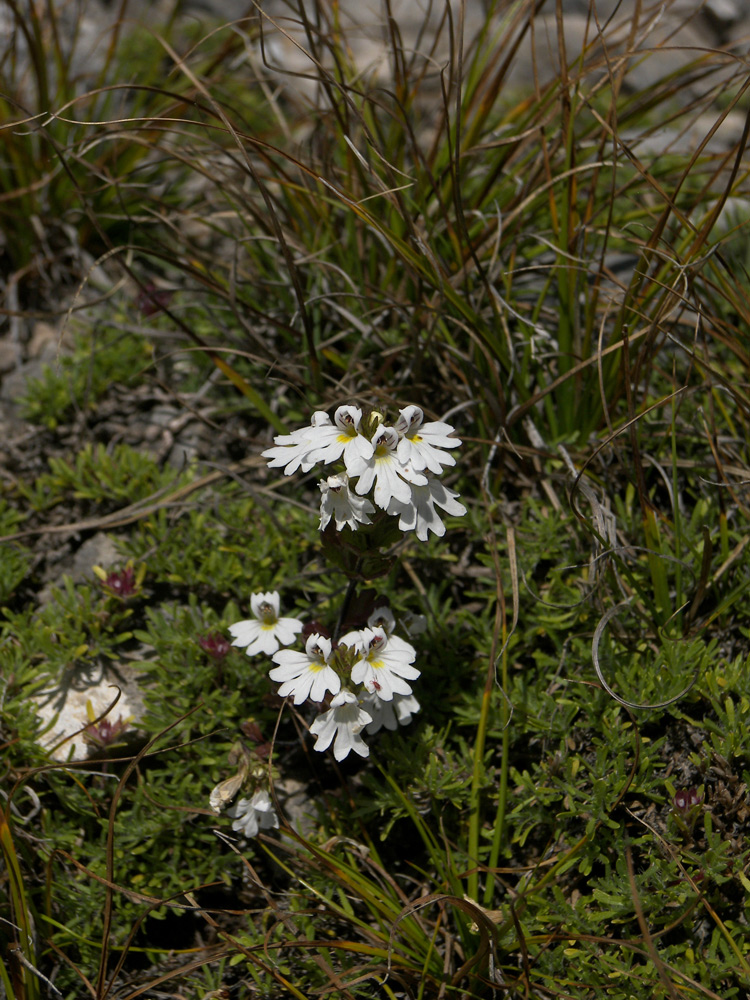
(400, 464)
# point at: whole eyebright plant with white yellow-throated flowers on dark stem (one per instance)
(389, 485)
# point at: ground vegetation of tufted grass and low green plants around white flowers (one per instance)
(567, 813)
